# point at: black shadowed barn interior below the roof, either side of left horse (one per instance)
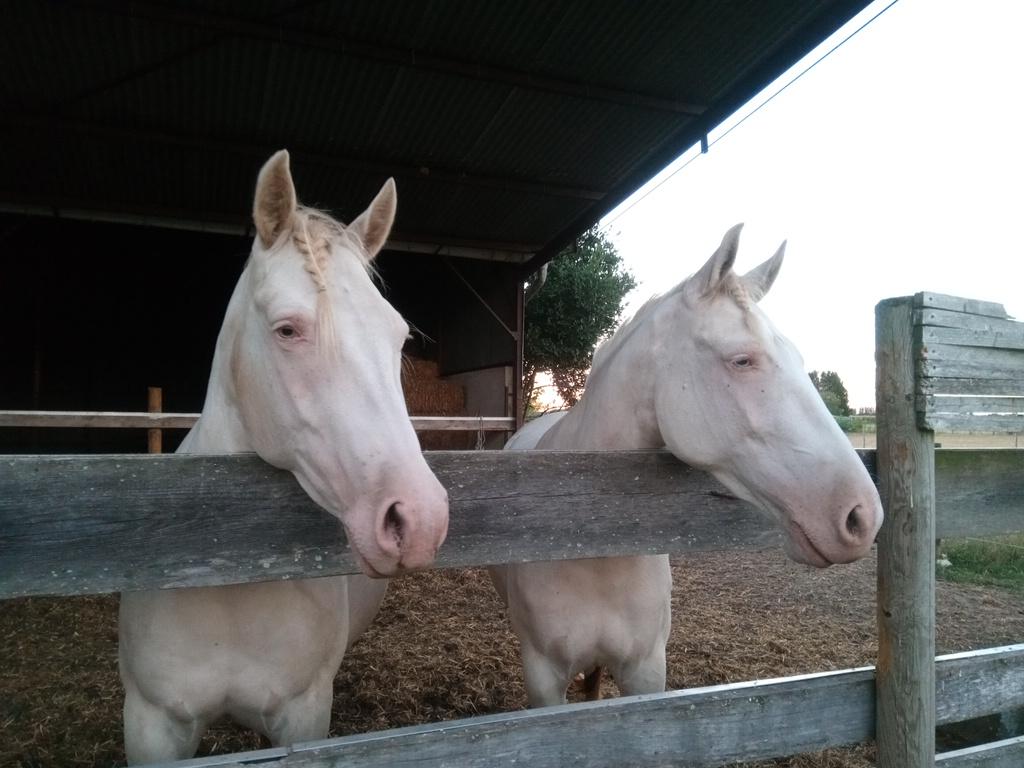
(102, 318)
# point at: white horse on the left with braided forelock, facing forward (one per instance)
(307, 375)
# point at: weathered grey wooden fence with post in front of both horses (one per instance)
(83, 525)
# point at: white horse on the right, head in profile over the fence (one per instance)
(703, 372)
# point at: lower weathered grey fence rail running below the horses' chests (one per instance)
(700, 728)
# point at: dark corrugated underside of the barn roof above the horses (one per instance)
(510, 129)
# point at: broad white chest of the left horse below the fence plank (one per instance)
(211, 649)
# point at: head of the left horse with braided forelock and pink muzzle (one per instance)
(316, 356)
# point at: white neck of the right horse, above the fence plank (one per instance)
(617, 411)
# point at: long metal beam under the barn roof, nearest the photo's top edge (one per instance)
(401, 57)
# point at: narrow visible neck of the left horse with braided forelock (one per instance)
(220, 430)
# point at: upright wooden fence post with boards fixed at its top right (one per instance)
(951, 364)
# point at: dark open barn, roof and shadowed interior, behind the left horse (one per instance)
(133, 135)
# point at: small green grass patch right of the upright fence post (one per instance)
(998, 562)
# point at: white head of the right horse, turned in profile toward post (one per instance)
(734, 399)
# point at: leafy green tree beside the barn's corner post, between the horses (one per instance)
(569, 312)
